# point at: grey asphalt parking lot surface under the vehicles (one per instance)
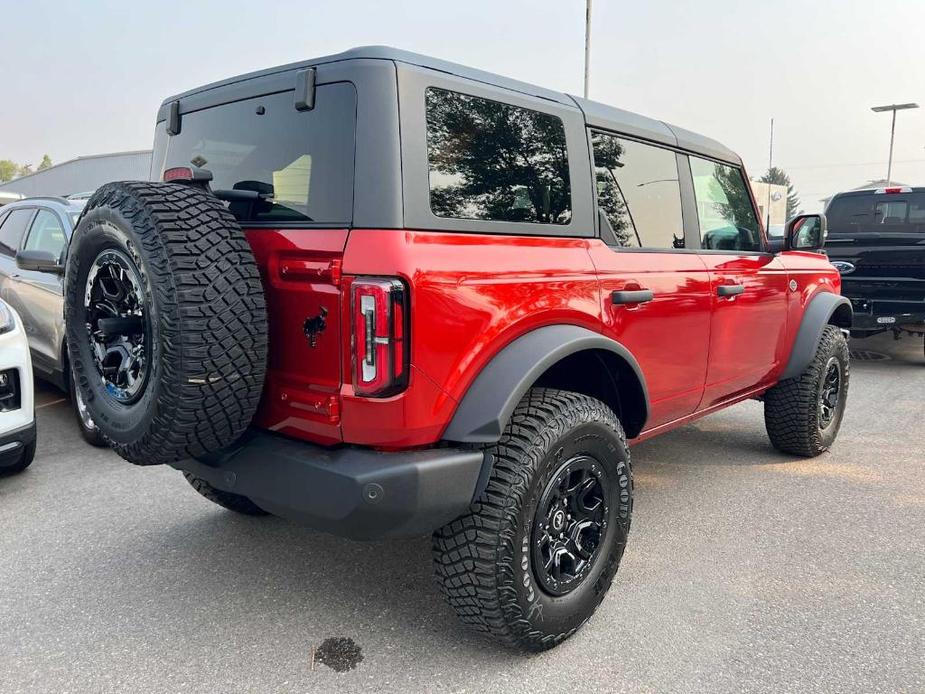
(746, 571)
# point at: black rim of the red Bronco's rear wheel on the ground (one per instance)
(570, 524)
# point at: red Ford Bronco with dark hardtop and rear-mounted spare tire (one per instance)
(385, 295)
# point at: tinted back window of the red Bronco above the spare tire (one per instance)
(281, 165)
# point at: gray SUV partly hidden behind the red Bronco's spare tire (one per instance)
(34, 234)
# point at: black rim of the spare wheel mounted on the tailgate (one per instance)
(118, 325)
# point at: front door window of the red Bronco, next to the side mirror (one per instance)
(724, 207)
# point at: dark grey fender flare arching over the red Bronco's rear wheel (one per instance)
(488, 404)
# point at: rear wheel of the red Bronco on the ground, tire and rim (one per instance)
(534, 557)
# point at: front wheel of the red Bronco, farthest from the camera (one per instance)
(803, 414)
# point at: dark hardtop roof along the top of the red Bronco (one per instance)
(596, 114)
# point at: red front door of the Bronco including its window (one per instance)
(749, 285)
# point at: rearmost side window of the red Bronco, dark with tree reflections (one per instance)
(493, 161)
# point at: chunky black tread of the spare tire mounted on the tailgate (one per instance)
(212, 322)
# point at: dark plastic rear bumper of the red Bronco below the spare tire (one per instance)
(352, 492)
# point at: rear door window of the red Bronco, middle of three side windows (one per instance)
(639, 192)
